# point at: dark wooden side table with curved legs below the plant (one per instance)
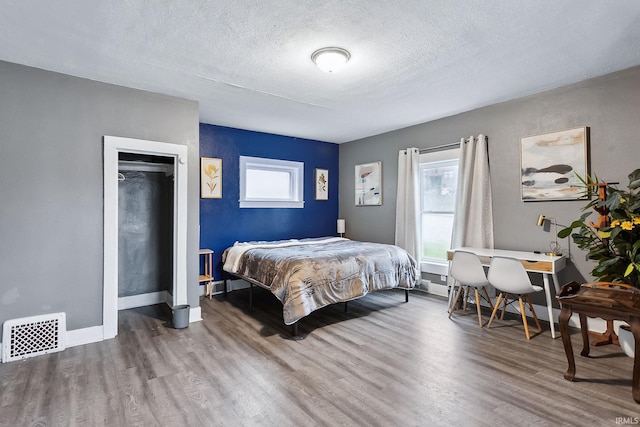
(609, 301)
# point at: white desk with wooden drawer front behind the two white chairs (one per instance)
(532, 262)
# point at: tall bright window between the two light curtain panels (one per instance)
(438, 183)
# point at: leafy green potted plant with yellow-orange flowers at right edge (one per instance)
(613, 242)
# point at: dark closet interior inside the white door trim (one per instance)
(145, 229)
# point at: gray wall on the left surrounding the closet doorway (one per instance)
(51, 190)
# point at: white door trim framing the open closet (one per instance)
(112, 147)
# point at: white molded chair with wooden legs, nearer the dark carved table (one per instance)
(509, 277)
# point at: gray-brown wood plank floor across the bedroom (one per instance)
(384, 363)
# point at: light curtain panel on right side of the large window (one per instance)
(473, 217)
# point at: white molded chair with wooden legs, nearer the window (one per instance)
(467, 272)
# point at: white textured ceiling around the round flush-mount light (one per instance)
(248, 62)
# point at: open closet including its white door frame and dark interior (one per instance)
(141, 160)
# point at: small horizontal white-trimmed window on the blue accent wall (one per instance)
(271, 183)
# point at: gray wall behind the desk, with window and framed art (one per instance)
(609, 105)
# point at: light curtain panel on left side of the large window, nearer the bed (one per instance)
(408, 202)
